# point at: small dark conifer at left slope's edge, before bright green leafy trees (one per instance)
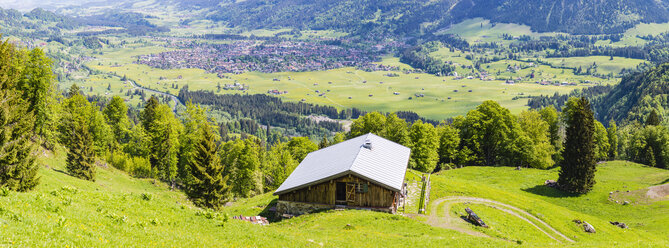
(81, 156)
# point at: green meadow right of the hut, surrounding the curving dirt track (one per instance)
(524, 189)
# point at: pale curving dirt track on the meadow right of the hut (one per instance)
(460, 225)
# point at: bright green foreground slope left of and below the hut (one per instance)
(119, 211)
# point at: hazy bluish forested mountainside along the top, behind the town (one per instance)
(416, 16)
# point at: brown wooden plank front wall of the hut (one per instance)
(325, 193)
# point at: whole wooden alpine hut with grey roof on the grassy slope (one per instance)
(366, 172)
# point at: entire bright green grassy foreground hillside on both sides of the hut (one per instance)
(118, 210)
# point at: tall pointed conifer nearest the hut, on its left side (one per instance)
(207, 187)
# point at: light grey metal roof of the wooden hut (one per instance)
(385, 164)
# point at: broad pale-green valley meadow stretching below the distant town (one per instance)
(344, 87)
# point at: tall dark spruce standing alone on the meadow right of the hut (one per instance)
(577, 173)
